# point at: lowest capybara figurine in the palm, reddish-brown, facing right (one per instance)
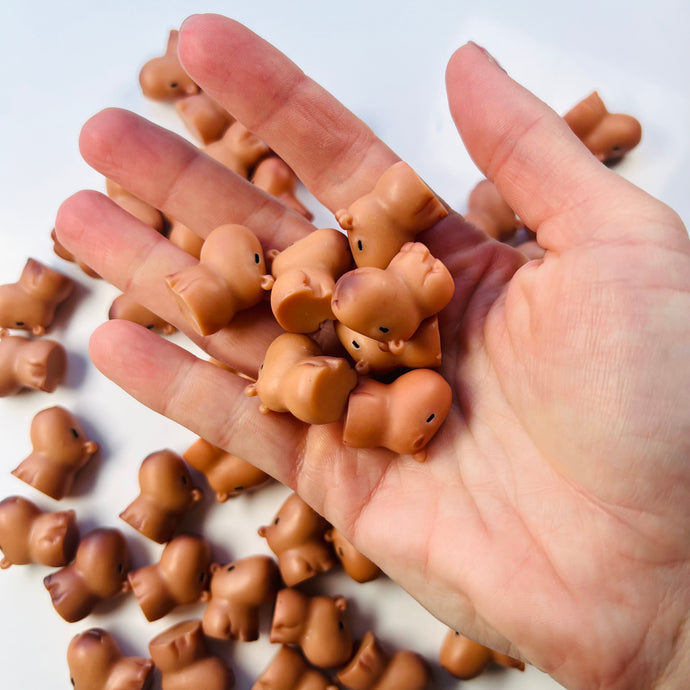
(402, 416)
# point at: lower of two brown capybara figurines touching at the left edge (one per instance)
(24, 363)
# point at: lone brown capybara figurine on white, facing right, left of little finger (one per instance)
(60, 450)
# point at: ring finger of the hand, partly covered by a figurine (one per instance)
(136, 259)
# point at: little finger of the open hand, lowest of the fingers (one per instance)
(197, 394)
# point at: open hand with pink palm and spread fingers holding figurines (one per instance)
(564, 456)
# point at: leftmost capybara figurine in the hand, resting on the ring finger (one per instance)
(231, 275)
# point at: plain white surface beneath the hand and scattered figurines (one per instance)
(61, 62)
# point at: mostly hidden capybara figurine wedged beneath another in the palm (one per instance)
(421, 351)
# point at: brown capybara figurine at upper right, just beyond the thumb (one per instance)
(609, 136)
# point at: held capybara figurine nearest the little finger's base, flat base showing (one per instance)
(297, 377)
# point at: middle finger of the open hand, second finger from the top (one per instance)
(176, 177)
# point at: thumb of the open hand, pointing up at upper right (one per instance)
(540, 167)
